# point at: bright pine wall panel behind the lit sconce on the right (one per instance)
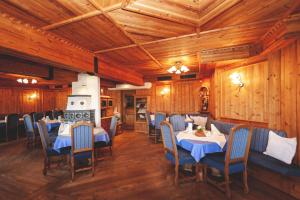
(245, 103)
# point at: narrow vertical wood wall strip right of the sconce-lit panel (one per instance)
(274, 88)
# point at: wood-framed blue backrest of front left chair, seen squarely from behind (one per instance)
(82, 136)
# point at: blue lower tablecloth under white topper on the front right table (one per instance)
(199, 149)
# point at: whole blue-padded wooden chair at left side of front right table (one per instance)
(178, 157)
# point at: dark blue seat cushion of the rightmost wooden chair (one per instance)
(217, 160)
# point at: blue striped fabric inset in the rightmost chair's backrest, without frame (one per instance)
(239, 143)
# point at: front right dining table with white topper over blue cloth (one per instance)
(198, 146)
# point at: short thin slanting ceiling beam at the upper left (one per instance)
(82, 17)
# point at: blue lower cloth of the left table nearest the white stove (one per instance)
(65, 141)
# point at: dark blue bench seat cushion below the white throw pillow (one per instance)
(273, 164)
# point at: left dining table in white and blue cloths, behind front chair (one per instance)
(64, 137)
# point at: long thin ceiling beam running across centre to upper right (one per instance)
(197, 33)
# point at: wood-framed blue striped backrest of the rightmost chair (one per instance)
(239, 143)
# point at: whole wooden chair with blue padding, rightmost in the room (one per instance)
(234, 160)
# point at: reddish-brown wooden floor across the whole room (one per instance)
(137, 170)
